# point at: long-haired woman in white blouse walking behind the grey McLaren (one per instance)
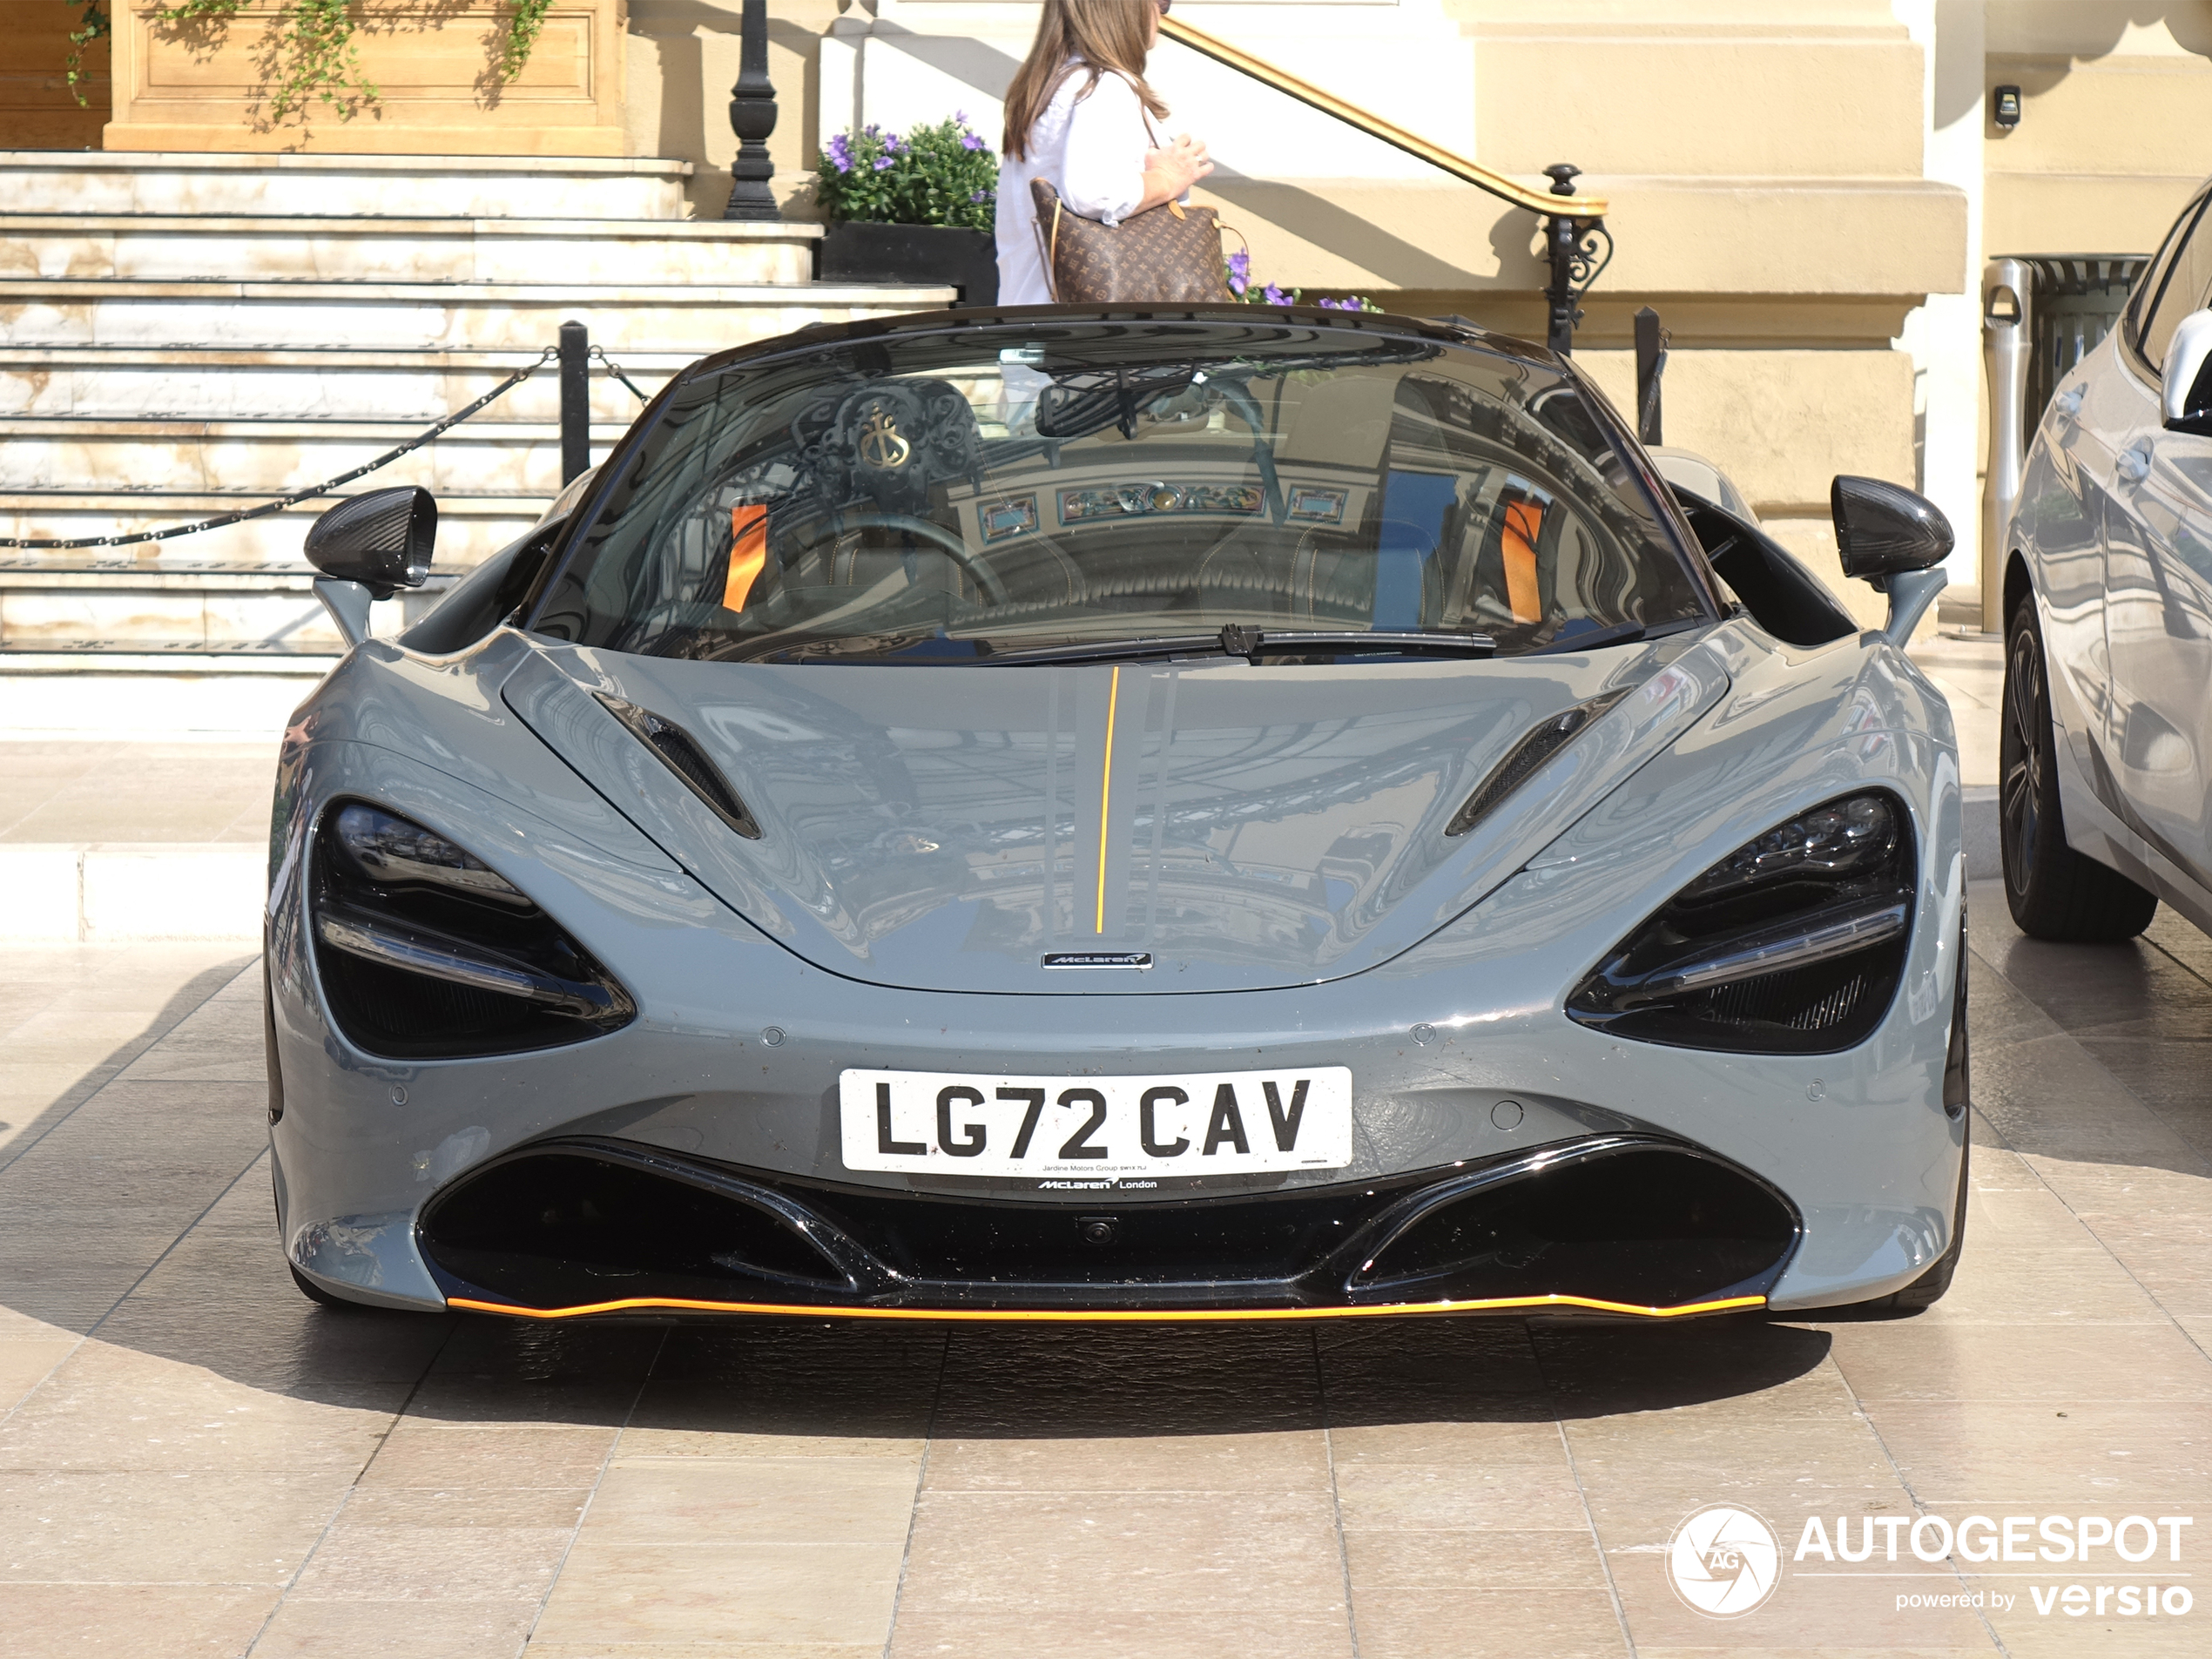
(1081, 118)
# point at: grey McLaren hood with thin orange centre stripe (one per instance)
(1229, 826)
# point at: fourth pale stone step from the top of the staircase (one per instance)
(209, 384)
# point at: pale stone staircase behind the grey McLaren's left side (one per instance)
(187, 335)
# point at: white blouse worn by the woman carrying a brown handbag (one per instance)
(1092, 152)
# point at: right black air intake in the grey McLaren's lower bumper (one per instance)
(1645, 1227)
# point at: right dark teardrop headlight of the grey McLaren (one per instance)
(1793, 943)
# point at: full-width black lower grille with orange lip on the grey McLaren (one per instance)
(1614, 1224)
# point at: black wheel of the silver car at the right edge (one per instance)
(2052, 890)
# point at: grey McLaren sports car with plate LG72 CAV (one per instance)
(1123, 815)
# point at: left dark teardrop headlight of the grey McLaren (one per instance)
(426, 952)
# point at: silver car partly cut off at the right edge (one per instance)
(2107, 727)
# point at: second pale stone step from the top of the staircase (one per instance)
(328, 249)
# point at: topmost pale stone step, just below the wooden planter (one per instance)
(408, 187)
